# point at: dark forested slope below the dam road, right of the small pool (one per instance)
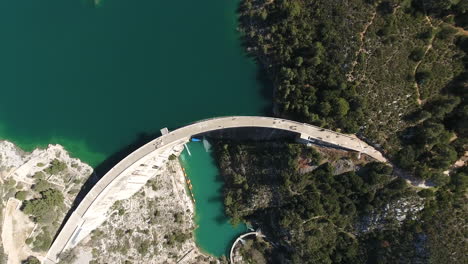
(320, 216)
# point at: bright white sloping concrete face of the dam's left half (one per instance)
(90, 215)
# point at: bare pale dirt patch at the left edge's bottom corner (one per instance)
(16, 229)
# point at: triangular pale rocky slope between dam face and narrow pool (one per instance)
(153, 226)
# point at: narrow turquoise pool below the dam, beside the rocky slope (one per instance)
(214, 233)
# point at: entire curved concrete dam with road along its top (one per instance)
(132, 173)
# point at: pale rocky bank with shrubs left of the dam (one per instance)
(45, 178)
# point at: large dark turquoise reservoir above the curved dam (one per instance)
(95, 78)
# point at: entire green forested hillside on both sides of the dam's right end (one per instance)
(395, 73)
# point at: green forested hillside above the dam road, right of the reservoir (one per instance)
(392, 71)
